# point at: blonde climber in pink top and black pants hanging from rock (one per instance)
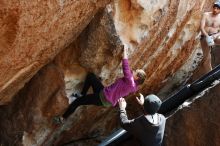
(107, 96)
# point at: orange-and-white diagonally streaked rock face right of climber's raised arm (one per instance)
(171, 29)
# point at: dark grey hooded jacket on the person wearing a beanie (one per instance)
(147, 133)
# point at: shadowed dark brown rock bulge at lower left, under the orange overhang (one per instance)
(29, 114)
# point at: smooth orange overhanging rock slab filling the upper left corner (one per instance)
(33, 33)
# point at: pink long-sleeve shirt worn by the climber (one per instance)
(122, 86)
